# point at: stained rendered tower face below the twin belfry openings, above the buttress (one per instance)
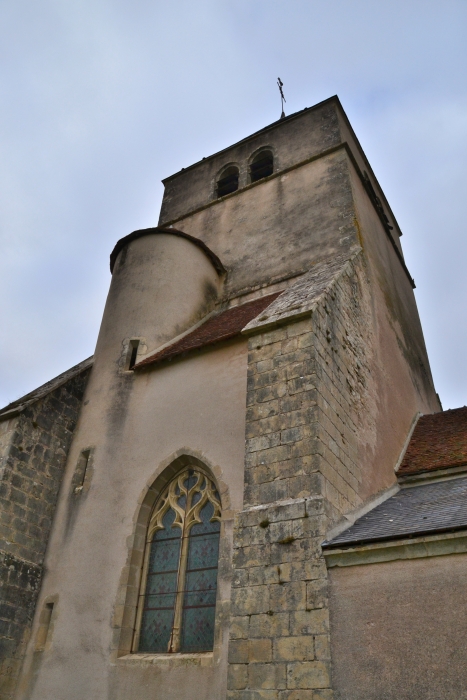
(278, 228)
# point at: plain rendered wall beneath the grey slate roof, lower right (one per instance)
(398, 630)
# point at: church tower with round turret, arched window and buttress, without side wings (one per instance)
(259, 367)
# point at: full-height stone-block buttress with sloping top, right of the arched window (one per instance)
(306, 386)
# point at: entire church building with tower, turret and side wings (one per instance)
(250, 491)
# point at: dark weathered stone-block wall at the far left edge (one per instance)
(34, 444)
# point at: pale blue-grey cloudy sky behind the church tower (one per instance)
(101, 99)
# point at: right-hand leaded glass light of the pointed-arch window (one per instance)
(199, 604)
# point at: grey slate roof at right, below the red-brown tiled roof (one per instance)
(413, 511)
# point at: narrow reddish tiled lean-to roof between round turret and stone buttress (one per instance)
(224, 326)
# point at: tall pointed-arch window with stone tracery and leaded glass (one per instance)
(178, 594)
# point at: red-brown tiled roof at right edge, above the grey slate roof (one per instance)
(439, 441)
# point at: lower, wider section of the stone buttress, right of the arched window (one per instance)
(280, 625)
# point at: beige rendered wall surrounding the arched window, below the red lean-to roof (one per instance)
(196, 406)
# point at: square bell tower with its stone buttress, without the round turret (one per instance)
(337, 370)
